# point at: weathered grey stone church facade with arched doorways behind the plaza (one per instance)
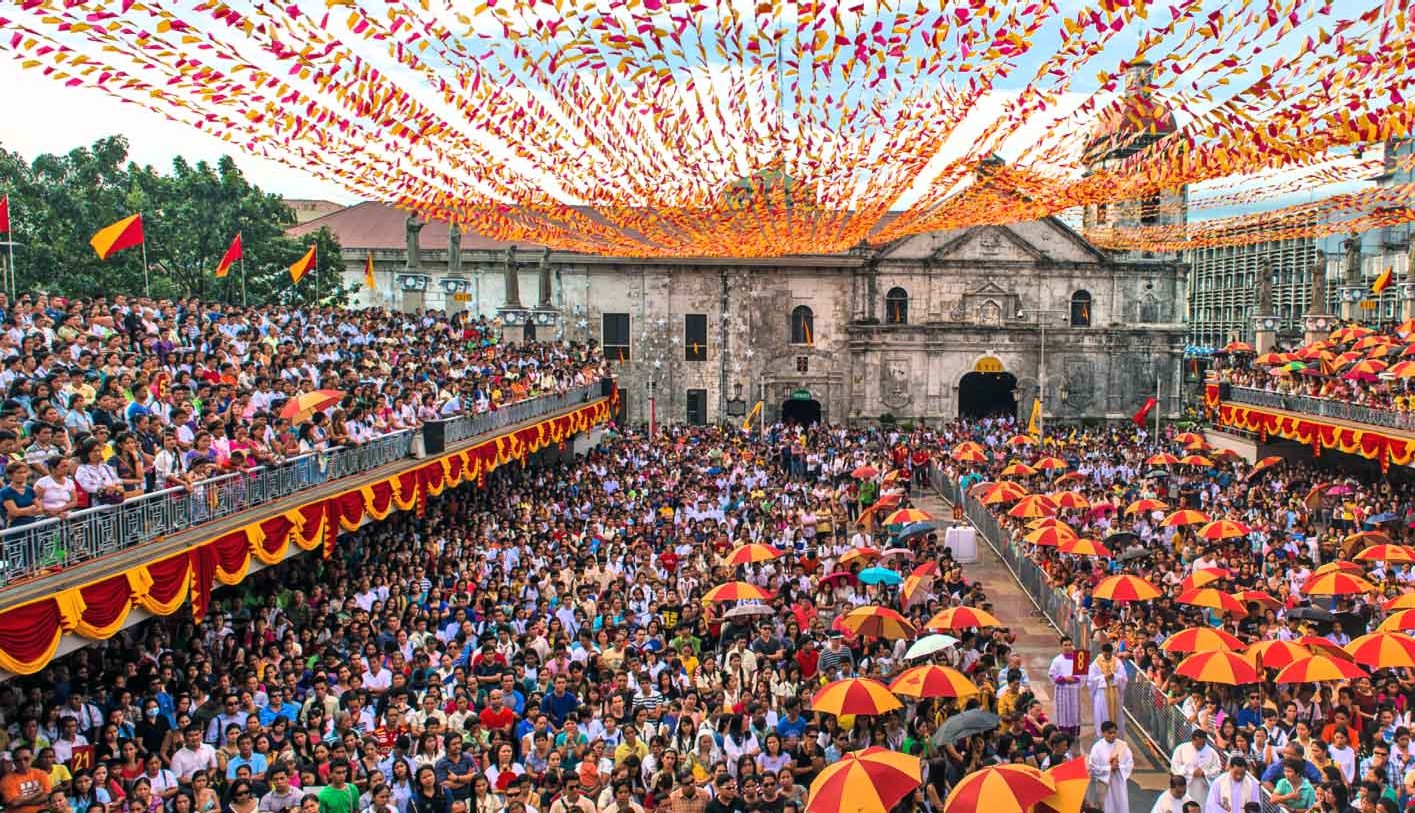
(928, 327)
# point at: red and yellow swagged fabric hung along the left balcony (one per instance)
(30, 634)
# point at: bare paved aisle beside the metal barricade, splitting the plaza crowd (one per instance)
(1038, 645)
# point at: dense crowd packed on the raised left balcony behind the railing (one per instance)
(108, 401)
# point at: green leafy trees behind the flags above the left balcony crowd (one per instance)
(190, 217)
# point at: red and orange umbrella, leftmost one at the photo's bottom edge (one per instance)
(870, 781)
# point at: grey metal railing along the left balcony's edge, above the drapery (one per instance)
(57, 544)
